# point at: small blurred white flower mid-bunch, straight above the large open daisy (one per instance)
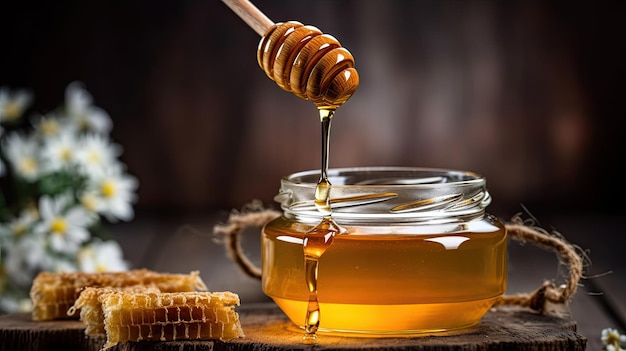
(59, 151)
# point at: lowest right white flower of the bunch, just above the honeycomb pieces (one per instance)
(101, 256)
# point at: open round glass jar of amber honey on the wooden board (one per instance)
(417, 252)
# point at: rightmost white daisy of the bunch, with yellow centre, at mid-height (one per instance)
(113, 193)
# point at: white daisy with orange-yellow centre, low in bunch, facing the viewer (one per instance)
(65, 227)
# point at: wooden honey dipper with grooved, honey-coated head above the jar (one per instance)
(301, 59)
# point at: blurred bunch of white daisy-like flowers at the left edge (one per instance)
(60, 176)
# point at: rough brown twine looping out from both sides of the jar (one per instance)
(547, 298)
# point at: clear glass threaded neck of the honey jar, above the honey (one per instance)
(388, 195)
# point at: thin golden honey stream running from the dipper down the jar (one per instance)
(319, 238)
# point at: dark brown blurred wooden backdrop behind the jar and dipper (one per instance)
(528, 93)
